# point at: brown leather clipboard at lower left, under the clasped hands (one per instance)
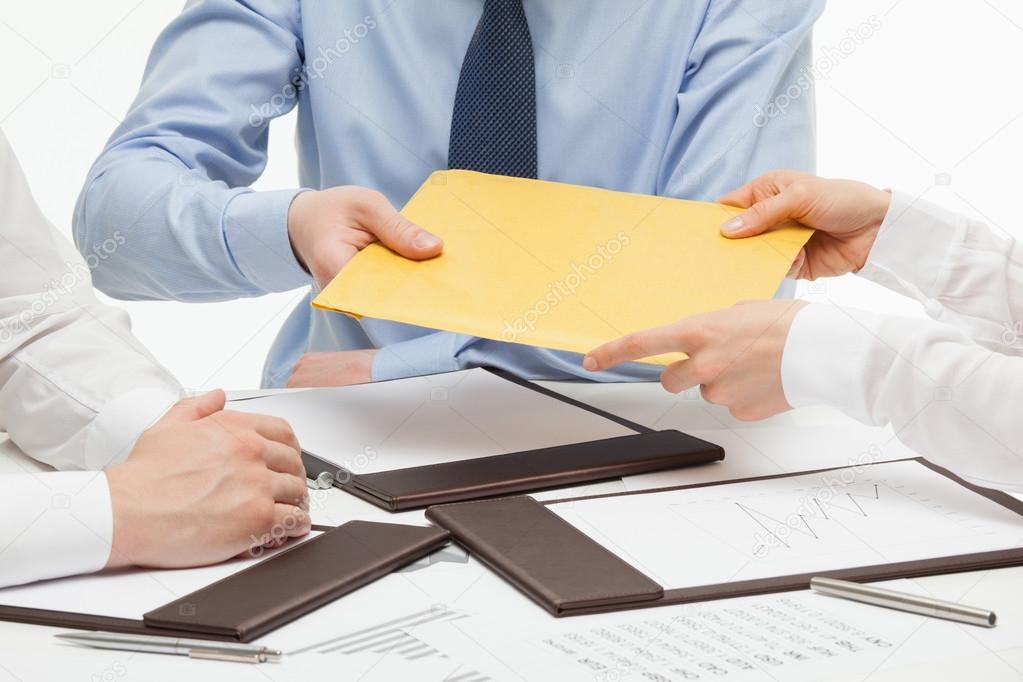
(262, 598)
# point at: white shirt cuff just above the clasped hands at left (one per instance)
(114, 432)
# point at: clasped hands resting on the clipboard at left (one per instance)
(204, 485)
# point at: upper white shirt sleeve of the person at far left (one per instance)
(77, 389)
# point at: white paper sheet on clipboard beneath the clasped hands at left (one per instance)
(128, 594)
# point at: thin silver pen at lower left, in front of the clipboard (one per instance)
(195, 649)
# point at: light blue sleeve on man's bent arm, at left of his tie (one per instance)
(172, 184)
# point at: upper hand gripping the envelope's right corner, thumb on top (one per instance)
(847, 215)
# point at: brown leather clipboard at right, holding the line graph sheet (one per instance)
(569, 573)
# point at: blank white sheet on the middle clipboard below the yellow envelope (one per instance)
(429, 420)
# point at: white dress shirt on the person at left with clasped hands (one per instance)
(77, 390)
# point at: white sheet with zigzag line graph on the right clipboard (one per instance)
(881, 514)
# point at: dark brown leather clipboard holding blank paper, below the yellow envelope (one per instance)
(643, 452)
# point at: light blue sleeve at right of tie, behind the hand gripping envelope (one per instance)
(746, 104)
